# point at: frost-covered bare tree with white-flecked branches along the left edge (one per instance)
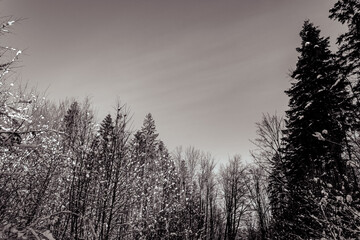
(29, 162)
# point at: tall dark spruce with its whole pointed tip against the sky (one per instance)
(316, 131)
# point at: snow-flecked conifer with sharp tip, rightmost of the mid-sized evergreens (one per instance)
(155, 192)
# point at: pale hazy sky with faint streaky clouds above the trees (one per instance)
(205, 69)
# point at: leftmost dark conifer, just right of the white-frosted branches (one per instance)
(79, 138)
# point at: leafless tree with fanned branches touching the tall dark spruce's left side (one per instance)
(269, 156)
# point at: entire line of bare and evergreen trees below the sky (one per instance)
(65, 176)
